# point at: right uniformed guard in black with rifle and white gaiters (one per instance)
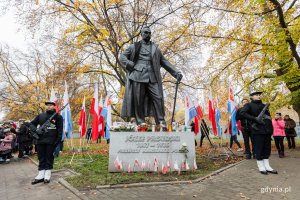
(261, 131)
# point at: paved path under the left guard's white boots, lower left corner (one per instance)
(15, 183)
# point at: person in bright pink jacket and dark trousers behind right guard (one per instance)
(278, 133)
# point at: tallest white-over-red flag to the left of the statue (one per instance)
(95, 112)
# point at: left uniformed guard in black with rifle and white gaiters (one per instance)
(47, 141)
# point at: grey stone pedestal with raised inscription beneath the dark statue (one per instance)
(129, 147)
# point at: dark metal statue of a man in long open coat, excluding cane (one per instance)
(143, 90)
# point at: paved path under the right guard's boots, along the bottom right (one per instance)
(239, 182)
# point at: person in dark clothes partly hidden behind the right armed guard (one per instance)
(246, 131)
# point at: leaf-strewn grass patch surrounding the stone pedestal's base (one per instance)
(96, 173)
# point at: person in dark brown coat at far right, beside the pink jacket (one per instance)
(290, 131)
